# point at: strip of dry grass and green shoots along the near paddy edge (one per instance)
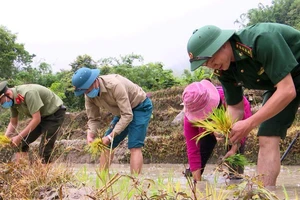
(39, 181)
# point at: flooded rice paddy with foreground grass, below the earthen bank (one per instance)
(158, 181)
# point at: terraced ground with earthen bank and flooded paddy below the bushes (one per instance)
(74, 174)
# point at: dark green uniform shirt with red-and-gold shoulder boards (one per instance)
(264, 54)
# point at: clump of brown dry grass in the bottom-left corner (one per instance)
(26, 181)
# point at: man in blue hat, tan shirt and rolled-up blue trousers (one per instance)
(126, 101)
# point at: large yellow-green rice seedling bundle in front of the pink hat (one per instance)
(219, 121)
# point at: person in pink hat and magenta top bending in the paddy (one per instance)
(199, 100)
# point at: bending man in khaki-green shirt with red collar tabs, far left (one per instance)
(46, 111)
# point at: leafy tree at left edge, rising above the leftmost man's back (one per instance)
(12, 54)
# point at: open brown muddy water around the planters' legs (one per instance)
(289, 176)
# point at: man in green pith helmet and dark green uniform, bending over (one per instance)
(264, 56)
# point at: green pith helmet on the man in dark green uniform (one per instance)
(205, 42)
